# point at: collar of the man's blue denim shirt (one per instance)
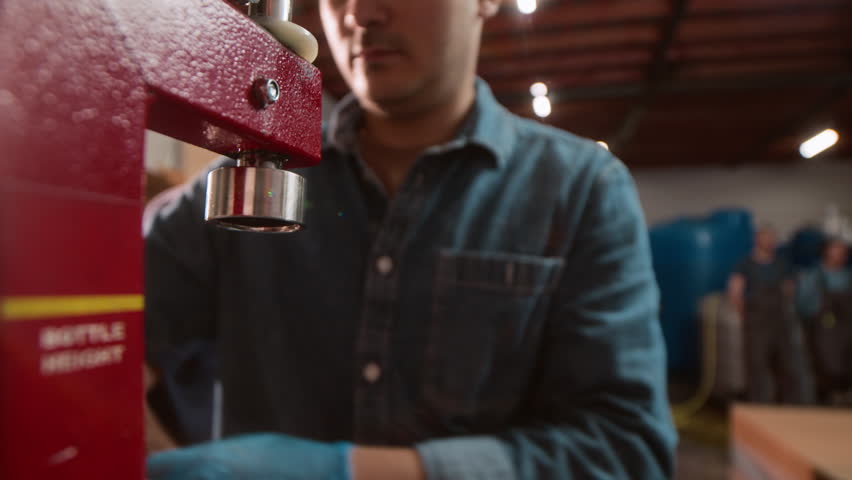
(488, 125)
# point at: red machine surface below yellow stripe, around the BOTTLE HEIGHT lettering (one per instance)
(81, 425)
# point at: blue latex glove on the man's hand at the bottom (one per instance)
(261, 456)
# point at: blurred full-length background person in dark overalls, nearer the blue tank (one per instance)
(761, 289)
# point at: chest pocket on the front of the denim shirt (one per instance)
(488, 313)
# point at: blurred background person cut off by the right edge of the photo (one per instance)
(824, 300)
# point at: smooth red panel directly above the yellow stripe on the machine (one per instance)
(68, 243)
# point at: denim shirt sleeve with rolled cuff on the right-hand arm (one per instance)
(598, 408)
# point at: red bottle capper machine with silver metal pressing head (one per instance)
(80, 81)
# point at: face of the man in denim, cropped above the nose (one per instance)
(391, 52)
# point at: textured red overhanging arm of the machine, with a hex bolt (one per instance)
(200, 59)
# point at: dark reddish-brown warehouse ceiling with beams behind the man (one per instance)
(673, 82)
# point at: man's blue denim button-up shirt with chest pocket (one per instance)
(499, 314)
